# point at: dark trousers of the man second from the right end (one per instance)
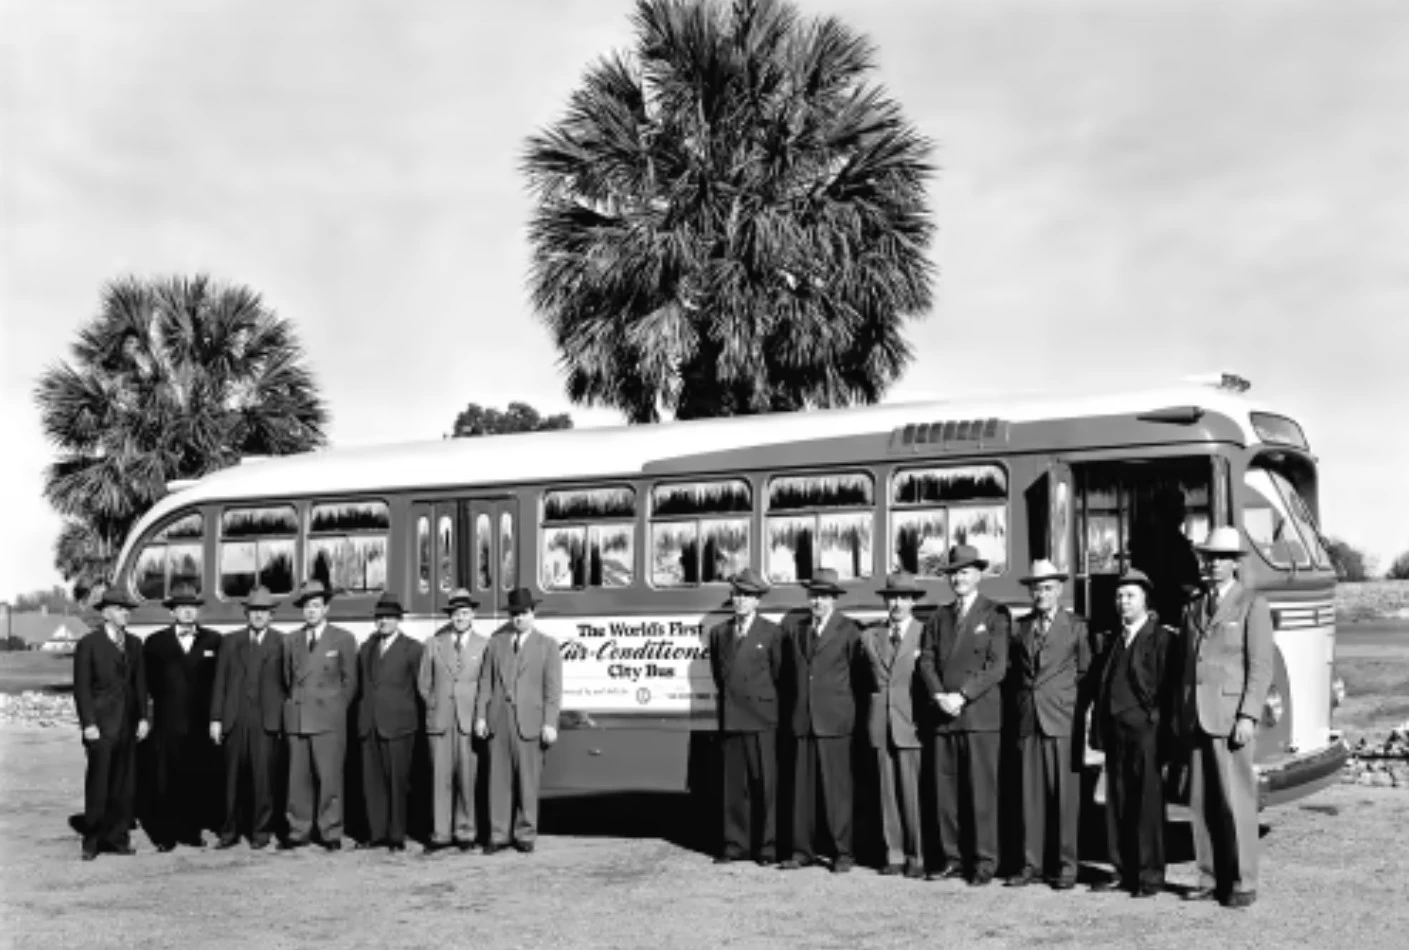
(1135, 803)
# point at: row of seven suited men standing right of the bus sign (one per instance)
(1160, 700)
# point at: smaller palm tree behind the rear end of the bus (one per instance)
(174, 378)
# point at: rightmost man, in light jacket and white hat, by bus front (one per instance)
(1228, 660)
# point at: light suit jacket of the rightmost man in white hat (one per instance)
(1228, 662)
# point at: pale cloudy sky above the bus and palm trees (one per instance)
(1128, 194)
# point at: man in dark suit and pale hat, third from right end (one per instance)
(1049, 663)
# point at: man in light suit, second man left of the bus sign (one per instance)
(449, 683)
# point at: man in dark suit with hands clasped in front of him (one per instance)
(963, 660)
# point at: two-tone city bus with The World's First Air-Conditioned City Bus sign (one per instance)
(629, 536)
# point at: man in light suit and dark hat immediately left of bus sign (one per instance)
(521, 697)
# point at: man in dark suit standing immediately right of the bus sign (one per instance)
(746, 656)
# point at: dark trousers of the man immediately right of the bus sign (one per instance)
(750, 794)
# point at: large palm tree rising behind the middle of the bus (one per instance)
(731, 219)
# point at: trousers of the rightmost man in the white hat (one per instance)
(1224, 807)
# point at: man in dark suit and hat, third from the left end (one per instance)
(246, 712)
